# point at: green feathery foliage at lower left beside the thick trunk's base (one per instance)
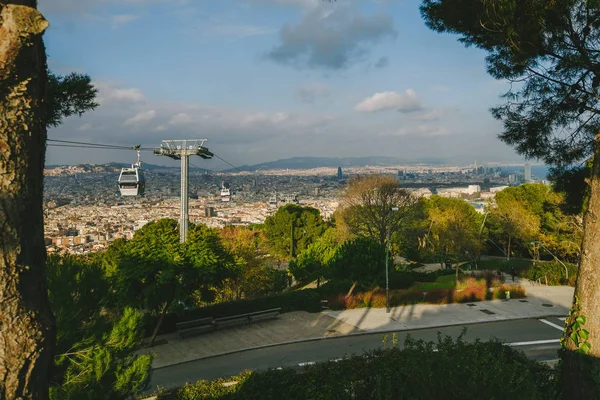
(95, 344)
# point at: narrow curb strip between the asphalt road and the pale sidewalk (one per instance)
(363, 333)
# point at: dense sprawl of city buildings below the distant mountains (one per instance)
(84, 211)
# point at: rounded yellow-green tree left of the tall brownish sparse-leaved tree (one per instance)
(304, 223)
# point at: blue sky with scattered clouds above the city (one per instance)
(264, 80)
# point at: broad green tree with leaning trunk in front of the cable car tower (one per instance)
(157, 272)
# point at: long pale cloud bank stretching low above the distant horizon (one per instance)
(273, 134)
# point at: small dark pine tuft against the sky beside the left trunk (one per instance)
(68, 95)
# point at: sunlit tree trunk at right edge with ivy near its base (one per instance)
(578, 384)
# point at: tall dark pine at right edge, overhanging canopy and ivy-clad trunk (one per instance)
(550, 51)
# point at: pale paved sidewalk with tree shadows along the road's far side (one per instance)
(541, 301)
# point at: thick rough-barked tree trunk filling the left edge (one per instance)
(26, 321)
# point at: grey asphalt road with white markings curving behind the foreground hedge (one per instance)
(537, 338)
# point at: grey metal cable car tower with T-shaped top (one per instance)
(182, 150)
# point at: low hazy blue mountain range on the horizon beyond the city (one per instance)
(331, 162)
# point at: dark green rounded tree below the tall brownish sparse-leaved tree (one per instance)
(361, 259)
